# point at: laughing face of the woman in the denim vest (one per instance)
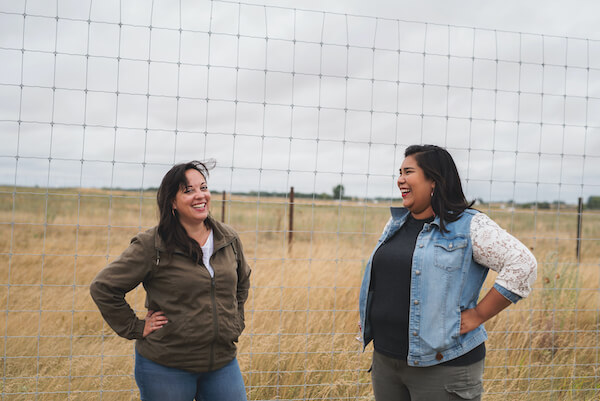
(415, 188)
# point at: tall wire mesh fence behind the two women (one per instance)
(99, 99)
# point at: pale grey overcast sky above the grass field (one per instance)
(326, 99)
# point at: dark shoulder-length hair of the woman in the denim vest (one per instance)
(448, 200)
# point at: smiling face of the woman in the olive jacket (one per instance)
(192, 202)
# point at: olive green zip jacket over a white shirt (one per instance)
(205, 315)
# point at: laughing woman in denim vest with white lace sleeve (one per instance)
(419, 295)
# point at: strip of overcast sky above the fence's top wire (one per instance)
(575, 18)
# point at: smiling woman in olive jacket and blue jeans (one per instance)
(196, 280)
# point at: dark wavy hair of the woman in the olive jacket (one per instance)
(169, 228)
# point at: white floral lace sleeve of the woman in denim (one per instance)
(496, 249)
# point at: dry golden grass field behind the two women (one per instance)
(302, 316)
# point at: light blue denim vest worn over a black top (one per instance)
(445, 280)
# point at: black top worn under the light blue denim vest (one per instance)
(390, 305)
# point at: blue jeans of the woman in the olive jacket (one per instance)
(162, 383)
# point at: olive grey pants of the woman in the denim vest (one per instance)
(394, 380)
